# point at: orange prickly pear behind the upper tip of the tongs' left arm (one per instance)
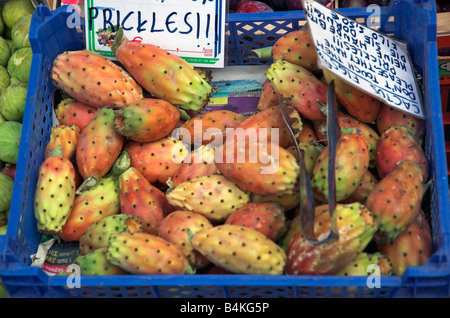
(269, 126)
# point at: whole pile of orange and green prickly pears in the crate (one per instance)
(117, 178)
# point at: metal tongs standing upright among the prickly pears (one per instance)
(307, 206)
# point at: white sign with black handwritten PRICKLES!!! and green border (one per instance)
(191, 29)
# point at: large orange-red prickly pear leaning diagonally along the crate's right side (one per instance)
(395, 201)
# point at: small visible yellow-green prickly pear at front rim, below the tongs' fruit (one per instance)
(368, 264)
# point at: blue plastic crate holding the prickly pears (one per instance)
(408, 20)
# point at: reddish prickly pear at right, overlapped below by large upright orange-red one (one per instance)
(395, 144)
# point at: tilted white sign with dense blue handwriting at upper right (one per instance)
(375, 63)
